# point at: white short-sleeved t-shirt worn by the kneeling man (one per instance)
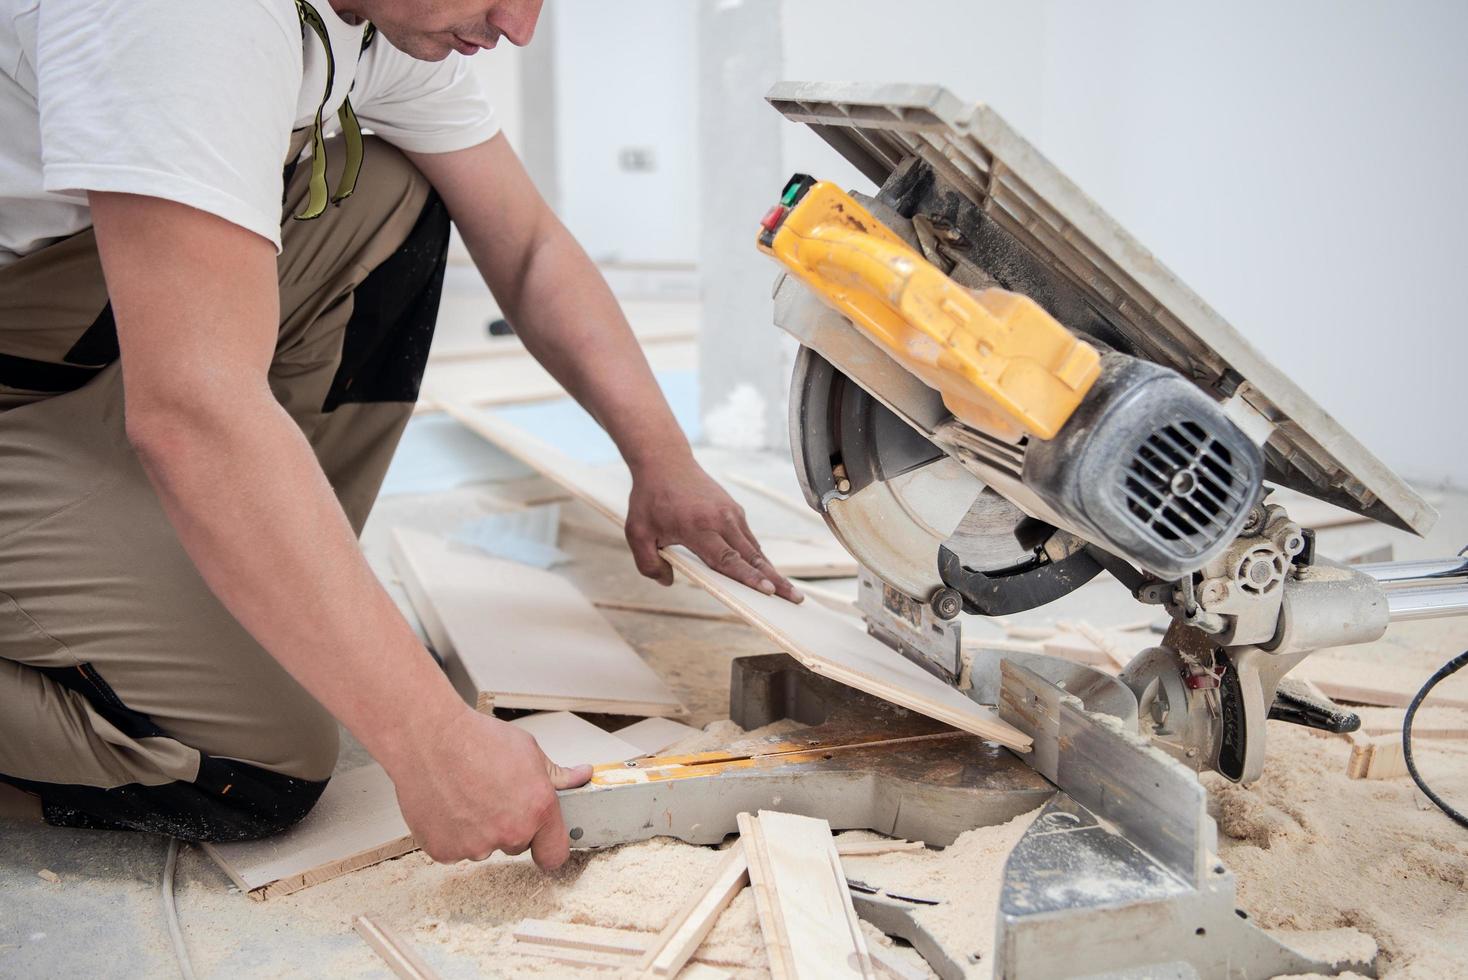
(195, 102)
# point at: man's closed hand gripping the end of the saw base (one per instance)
(481, 786)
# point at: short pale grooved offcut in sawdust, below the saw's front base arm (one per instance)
(802, 897)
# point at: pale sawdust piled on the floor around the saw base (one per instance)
(1334, 865)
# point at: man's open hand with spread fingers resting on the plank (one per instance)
(676, 502)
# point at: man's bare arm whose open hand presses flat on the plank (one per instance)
(570, 322)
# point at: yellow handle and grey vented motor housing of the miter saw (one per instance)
(1119, 451)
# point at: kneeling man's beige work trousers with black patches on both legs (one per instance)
(130, 698)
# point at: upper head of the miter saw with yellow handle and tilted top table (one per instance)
(1000, 395)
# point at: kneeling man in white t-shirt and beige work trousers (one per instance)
(205, 367)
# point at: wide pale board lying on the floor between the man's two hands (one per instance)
(523, 636)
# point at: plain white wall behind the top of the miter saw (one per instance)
(1303, 167)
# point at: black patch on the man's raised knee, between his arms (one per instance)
(387, 343)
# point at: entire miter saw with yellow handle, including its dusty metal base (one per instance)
(1000, 395)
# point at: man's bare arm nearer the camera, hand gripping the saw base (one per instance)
(197, 310)
